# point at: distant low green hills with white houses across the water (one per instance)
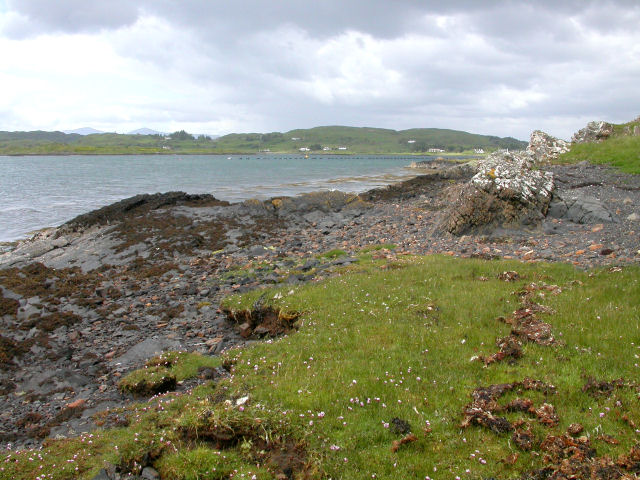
(334, 139)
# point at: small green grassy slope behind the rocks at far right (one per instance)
(622, 152)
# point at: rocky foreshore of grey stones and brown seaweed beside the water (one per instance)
(83, 304)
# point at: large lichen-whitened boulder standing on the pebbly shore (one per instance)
(507, 191)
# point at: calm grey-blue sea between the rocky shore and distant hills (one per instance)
(45, 191)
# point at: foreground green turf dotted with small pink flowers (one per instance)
(382, 343)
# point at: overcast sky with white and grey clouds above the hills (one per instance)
(486, 66)
